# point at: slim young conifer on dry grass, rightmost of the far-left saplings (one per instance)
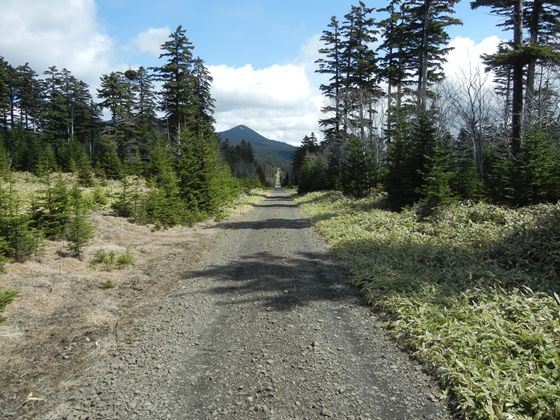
(78, 230)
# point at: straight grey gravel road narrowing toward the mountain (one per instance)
(265, 326)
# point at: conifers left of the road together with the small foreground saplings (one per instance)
(160, 143)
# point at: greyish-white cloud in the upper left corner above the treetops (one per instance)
(64, 33)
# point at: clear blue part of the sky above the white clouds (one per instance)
(261, 33)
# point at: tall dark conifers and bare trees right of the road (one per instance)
(393, 121)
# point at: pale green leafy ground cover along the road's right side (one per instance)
(472, 290)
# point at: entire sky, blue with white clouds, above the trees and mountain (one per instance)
(260, 53)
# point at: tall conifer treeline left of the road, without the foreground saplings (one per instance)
(51, 123)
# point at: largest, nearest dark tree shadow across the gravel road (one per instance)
(279, 284)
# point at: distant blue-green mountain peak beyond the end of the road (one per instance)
(262, 147)
